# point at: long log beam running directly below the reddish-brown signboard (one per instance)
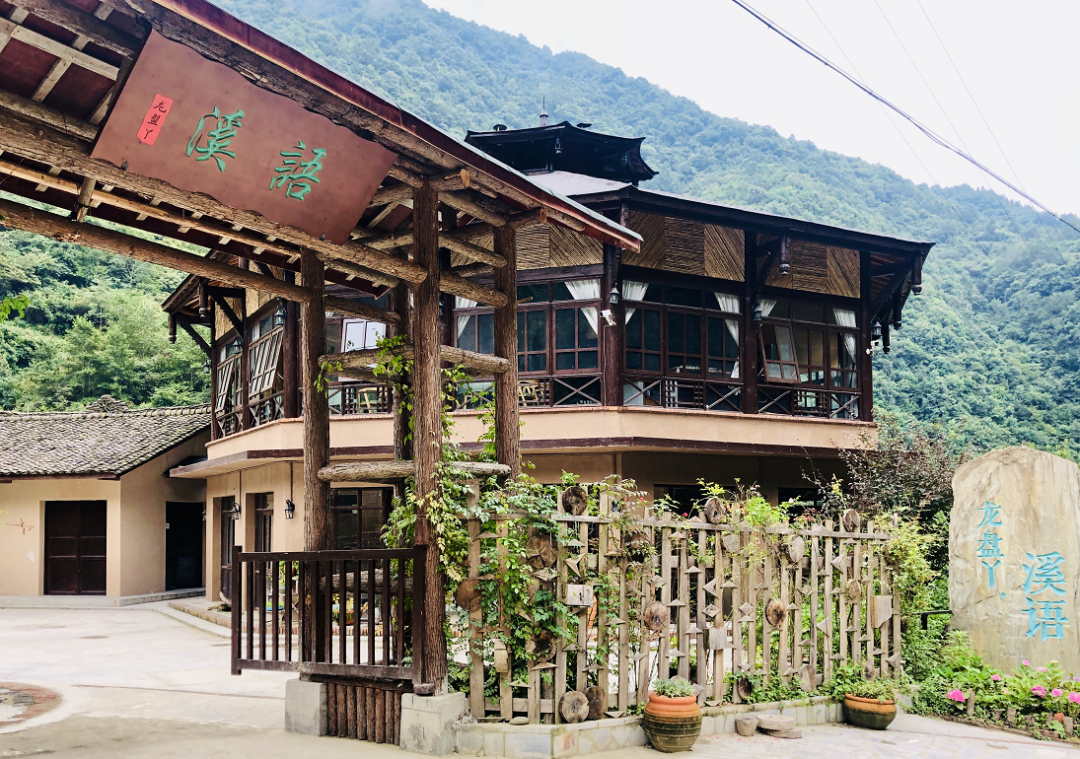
(62, 152)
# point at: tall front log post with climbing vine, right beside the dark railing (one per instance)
(428, 429)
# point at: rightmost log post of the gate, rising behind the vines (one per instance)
(508, 431)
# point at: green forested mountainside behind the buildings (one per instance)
(991, 346)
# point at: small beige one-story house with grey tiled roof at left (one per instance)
(88, 507)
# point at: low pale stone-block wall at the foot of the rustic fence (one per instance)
(560, 741)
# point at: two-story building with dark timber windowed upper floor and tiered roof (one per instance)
(735, 347)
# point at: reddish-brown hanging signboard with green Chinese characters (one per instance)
(204, 128)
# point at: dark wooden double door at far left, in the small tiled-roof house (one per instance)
(75, 548)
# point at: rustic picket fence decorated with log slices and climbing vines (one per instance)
(728, 607)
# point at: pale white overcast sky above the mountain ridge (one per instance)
(1020, 61)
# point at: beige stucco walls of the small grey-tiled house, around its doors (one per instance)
(136, 524)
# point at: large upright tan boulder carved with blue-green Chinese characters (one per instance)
(1015, 558)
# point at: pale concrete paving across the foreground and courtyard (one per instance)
(144, 682)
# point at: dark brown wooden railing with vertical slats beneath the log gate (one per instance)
(349, 614)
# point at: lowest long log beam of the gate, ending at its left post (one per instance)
(18, 216)
